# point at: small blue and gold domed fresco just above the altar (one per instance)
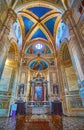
(38, 65)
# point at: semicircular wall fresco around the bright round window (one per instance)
(34, 50)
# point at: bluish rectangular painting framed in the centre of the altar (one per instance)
(38, 93)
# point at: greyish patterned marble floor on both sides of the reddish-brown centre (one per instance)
(69, 123)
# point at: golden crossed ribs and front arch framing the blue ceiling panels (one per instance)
(55, 12)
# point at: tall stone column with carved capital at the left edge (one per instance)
(4, 41)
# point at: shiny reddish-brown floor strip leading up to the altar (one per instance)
(39, 122)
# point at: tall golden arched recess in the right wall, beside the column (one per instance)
(68, 69)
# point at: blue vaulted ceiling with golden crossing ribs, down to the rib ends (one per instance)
(39, 22)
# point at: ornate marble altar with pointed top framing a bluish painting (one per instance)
(38, 102)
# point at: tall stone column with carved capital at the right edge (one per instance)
(75, 47)
